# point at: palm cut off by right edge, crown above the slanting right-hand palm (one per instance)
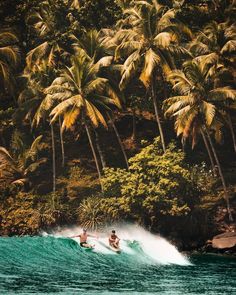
(216, 45)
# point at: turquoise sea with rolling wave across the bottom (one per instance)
(57, 265)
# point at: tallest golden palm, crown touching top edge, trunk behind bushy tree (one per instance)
(147, 41)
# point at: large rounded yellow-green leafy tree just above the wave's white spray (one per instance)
(156, 184)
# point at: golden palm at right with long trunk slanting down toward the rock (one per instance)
(194, 110)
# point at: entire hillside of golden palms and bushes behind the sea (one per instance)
(119, 110)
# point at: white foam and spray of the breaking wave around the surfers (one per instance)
(135, 240)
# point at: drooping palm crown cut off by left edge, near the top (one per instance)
(9, 59)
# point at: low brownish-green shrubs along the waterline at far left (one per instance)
(28, 214)
